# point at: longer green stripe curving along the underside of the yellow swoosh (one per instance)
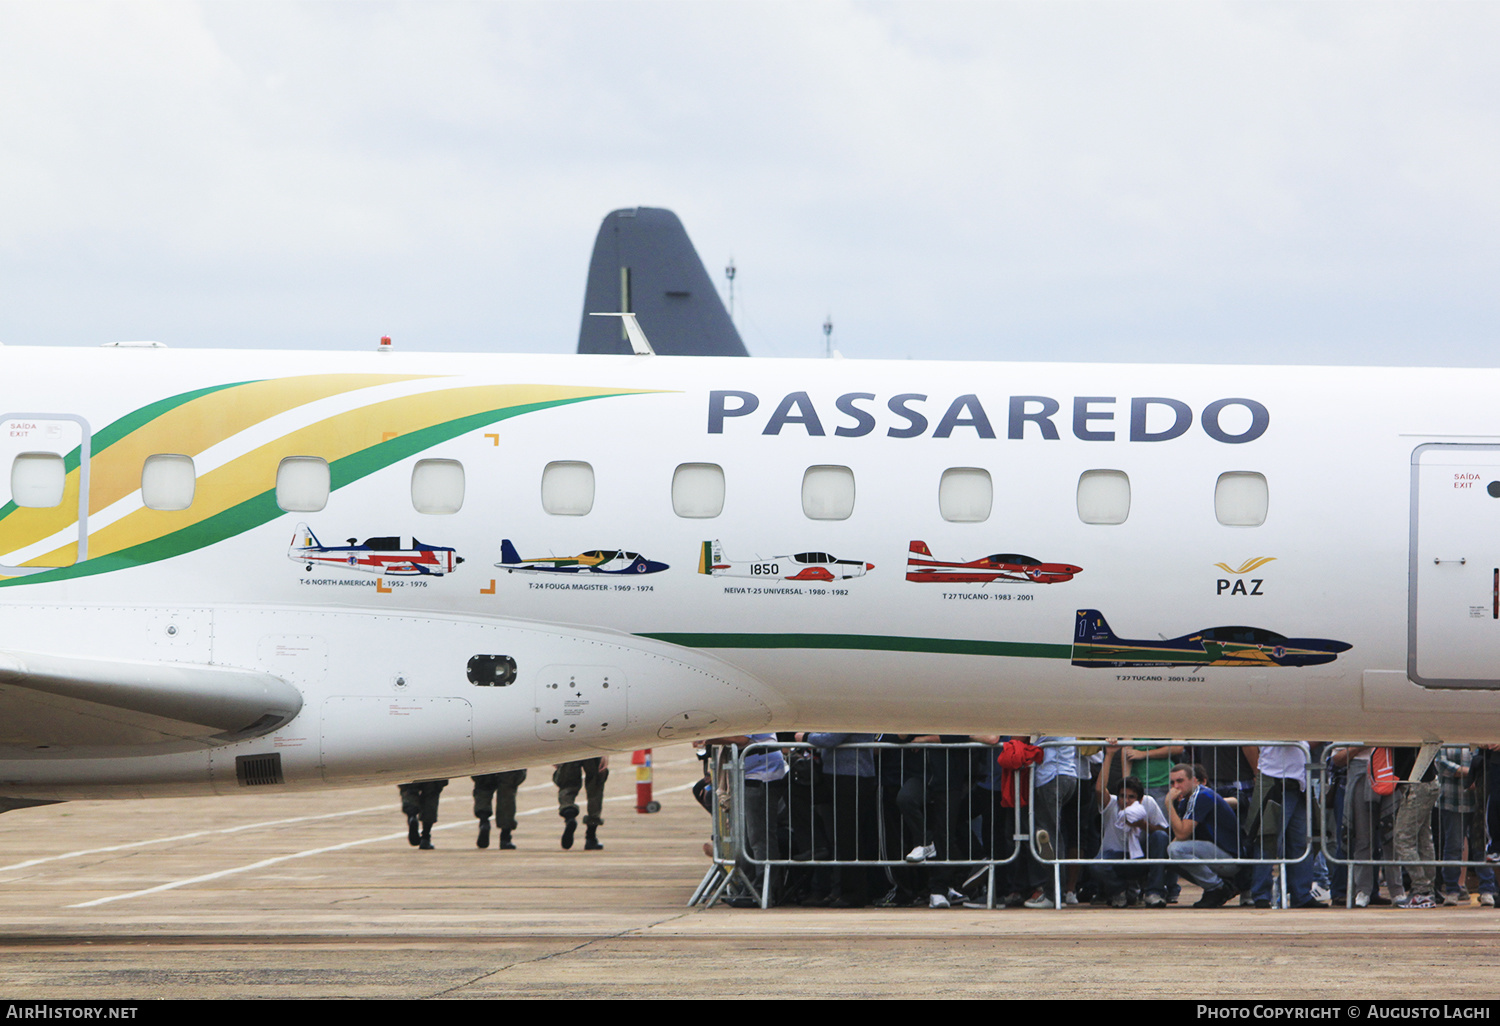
(262, 509)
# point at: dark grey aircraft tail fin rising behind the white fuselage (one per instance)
(646, 263)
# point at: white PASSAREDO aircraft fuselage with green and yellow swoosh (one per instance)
(1381, 535)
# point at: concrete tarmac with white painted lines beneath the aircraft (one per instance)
(320, 896)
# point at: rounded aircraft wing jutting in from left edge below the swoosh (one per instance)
(67, 703)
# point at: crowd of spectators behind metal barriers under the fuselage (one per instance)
(986, 821)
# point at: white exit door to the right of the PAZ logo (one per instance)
(1454, 596)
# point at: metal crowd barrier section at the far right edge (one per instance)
(1361, 829)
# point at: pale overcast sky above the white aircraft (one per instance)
(1186, 182)
